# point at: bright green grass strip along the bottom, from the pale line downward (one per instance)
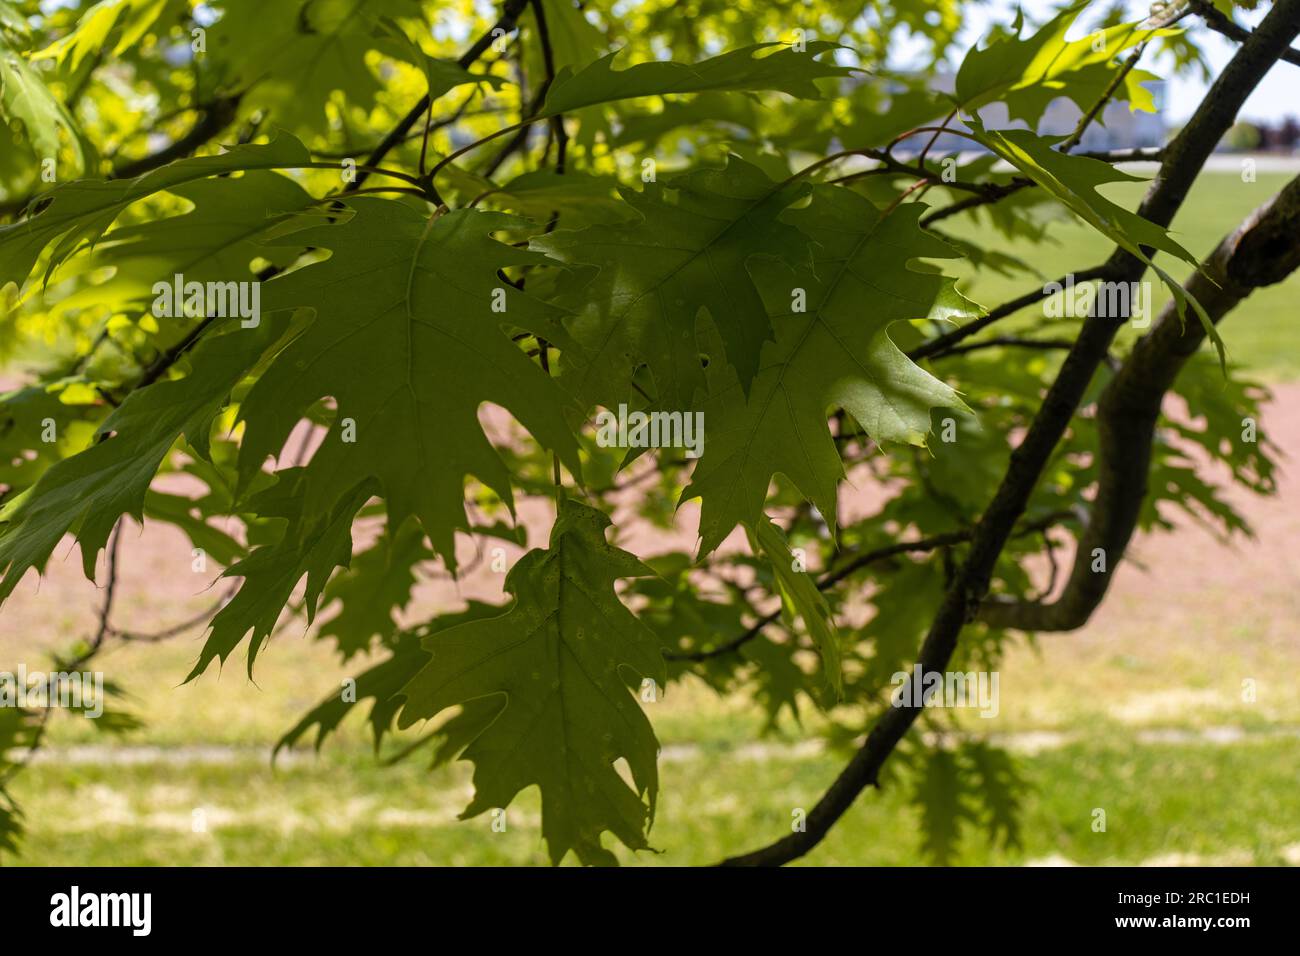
(1208, 803)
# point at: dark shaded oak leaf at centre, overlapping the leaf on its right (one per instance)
(686, 253)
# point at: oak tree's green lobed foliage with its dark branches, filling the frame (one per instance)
(233, 224)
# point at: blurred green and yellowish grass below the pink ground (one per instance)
(1172, 791)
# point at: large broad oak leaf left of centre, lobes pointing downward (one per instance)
(410, 339)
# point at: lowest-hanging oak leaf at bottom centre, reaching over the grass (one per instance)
(558, 665)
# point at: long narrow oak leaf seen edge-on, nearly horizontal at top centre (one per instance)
(786, 71)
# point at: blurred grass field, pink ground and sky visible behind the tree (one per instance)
(1146, 712)
